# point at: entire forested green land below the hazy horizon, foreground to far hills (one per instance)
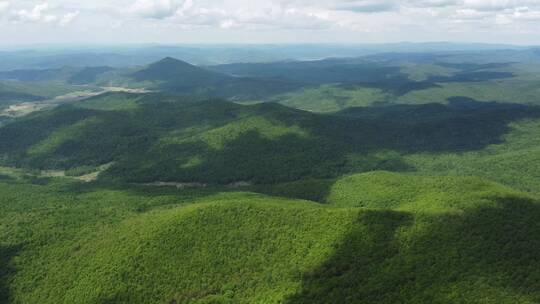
(387, 178)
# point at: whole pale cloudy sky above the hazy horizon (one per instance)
(268, 21)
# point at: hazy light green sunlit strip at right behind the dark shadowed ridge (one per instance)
(332, 98)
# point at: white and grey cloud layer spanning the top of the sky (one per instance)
(398, 19)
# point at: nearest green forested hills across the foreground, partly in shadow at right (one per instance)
(414, 240)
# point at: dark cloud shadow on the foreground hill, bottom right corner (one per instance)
(490, 253)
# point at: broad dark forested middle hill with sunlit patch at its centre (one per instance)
(157, 137)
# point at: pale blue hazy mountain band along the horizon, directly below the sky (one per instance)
(47, 57)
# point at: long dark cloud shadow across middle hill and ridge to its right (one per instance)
(462, 125)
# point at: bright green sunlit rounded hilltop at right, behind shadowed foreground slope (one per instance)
(386, 190)
